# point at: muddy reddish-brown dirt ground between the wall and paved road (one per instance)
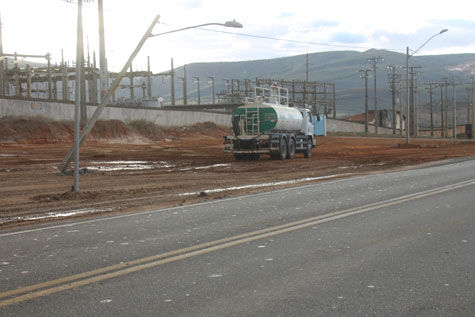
(144, 167)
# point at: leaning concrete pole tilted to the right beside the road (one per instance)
(90, 124)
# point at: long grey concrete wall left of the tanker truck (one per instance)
(65, 111)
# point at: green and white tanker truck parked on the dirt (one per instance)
(266, 124)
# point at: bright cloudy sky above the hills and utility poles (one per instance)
(296, 27)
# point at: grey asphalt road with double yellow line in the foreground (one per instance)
(397, 243)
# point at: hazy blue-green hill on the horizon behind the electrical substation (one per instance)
(340, 67)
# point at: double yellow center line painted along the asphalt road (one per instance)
(120, 269)
